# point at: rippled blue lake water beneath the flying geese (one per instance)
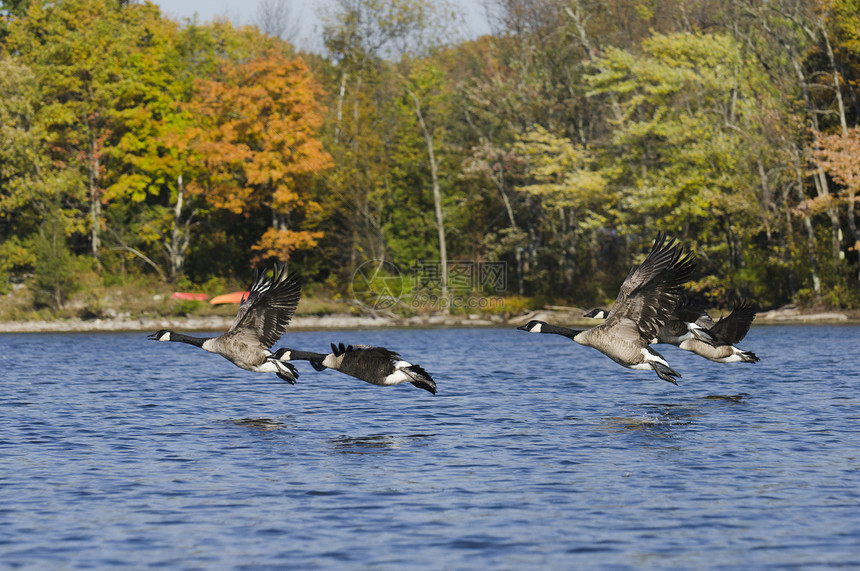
(120, 452)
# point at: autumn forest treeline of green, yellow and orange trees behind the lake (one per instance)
(133, 144)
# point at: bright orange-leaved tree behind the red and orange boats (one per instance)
(256, 140)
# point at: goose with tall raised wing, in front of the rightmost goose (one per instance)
(646, 299)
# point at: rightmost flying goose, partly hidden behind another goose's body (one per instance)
(695, 331)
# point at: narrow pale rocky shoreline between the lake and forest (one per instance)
(554, 314)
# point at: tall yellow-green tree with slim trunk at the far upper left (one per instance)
(79, 50)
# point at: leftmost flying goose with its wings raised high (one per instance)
(262, 318)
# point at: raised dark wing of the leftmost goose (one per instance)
(264, 315)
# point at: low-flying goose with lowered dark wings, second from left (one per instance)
(376, 365)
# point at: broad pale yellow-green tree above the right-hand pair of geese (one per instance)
(680, 157)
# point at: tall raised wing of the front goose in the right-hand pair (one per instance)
(650, 292)
